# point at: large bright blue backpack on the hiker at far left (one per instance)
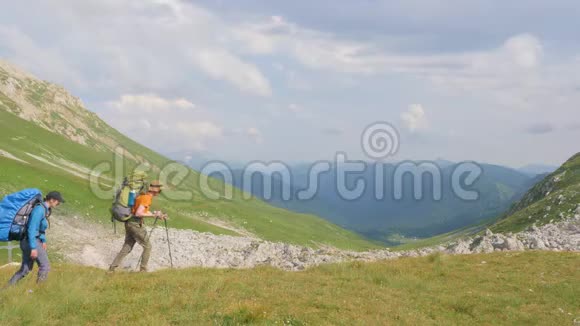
(14, 212)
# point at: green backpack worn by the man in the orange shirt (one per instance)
(124, 201)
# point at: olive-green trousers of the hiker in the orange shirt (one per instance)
(134, 233)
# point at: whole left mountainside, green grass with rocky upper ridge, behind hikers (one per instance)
(42, 145)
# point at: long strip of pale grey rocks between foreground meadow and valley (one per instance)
(95, 245)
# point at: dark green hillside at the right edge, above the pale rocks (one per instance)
(554, 198)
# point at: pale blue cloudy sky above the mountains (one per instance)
(484, 80)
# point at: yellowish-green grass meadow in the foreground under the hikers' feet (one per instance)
(416, 291)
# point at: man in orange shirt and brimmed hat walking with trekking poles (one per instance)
(135, 230)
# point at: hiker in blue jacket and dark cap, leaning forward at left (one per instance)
(33, 244)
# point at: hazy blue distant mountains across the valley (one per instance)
(381, 219)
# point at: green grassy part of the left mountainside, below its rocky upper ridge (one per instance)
(19, 137)
